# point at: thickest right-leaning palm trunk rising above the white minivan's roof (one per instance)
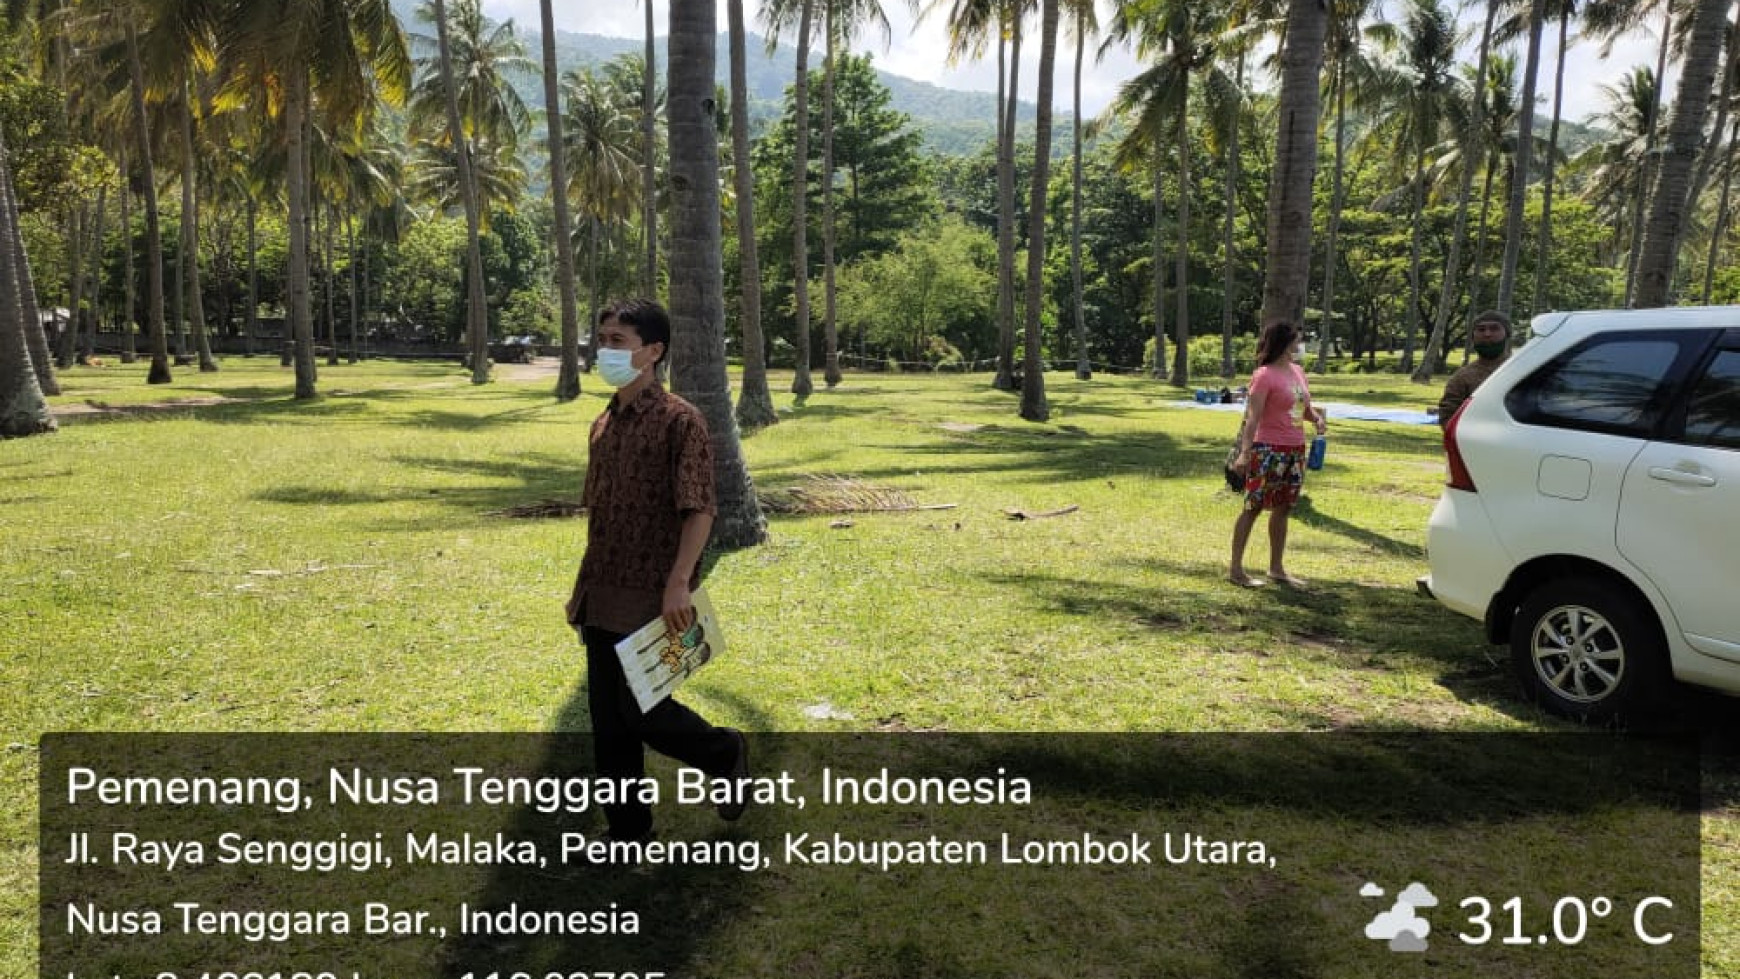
(1697, 81)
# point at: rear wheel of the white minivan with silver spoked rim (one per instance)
(1588, 651)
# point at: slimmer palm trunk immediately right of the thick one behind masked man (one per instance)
(754, 401)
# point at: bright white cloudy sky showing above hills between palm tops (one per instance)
(920, 53)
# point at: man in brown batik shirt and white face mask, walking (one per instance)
(650, 510)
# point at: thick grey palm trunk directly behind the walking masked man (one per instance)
(697, 283)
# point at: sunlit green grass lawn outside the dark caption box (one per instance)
(262, 564)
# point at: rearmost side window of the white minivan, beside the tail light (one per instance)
(1605, 385)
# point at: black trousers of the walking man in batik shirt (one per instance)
(620, 733)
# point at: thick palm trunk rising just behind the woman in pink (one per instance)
(1290, 201)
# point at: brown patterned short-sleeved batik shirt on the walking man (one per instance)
(652, 467)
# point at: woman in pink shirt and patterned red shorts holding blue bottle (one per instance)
(1273, 450)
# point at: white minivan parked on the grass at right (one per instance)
(1593, 509)
